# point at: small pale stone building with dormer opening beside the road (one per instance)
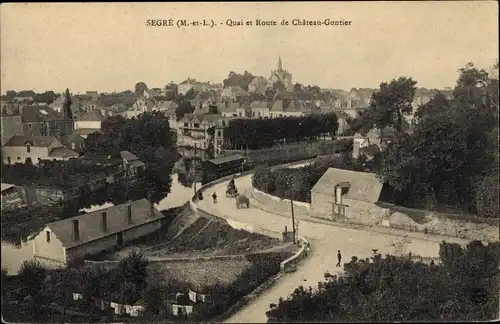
(344, 195)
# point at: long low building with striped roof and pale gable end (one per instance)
(71, 240)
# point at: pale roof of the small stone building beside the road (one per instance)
(364, 186)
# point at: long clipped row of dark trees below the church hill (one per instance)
(261, 133)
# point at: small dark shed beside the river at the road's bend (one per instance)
(222, 166)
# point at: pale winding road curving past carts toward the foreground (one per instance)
(325, 241)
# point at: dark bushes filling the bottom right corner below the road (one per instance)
(394, 289)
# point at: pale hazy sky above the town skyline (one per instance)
(109, 47)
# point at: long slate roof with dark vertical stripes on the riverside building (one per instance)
(90, 224)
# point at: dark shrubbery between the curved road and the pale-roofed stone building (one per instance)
(297, 183)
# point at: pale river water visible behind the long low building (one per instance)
(13, 257)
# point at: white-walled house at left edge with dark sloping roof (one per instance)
(21, 149)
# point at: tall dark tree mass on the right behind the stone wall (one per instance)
(451, 152)
